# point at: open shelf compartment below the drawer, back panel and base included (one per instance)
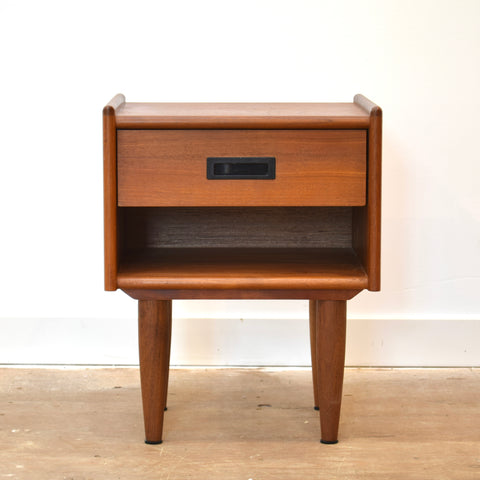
(238, 248)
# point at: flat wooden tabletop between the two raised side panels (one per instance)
(242, 116)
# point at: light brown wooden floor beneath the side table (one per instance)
(239, 424)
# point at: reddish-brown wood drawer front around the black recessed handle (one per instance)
(313, 167)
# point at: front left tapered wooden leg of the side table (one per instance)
(154, 333)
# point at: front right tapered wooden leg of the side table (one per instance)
(330, 353)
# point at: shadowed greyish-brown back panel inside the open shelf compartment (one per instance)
(223, 227)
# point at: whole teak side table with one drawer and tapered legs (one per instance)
(242, 201)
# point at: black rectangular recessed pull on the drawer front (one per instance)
(241, 168)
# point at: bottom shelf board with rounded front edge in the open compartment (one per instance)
(250, 269)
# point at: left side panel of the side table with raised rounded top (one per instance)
(110, 190)
